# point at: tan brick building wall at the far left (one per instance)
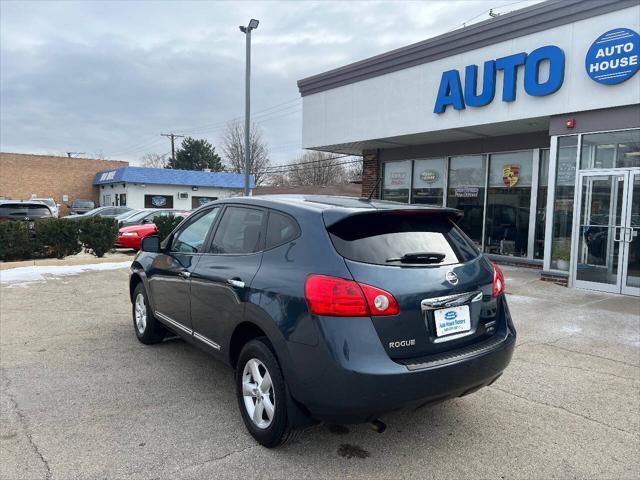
(48, 176)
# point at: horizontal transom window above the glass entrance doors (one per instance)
(610, 150)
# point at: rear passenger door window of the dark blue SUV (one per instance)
(239, 231)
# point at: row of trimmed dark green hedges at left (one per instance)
(56, 237)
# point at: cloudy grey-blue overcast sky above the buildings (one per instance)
(106, 78)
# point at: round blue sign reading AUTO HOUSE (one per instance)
(614, 56)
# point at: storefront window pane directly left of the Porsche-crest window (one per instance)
(466, 192)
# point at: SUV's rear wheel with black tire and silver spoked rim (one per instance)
(256, 401)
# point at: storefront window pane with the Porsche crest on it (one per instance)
(508, 203)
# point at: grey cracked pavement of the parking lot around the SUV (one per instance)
(81, 398)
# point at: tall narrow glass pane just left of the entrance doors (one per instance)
(563, 202)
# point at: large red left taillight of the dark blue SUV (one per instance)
(337, 297)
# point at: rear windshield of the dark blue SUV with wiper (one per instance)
(396, 239)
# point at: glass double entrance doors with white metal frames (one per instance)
(606, 245)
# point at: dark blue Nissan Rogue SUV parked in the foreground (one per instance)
(329, 309)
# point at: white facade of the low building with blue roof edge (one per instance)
(183, 196)
